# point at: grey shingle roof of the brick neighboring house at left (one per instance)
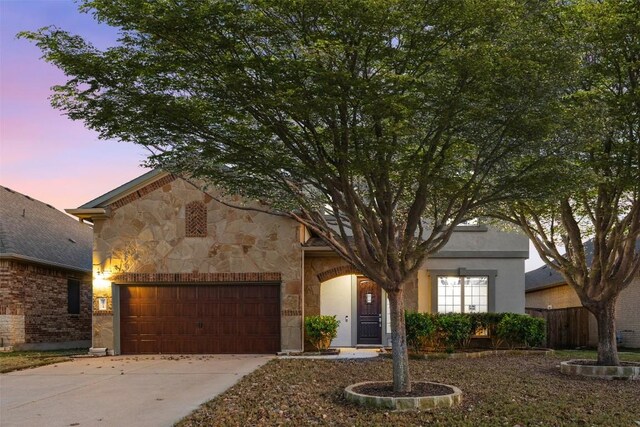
(34, 231)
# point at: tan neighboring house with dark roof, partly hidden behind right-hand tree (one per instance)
(547, 289)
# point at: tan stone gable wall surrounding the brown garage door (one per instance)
(146, 233)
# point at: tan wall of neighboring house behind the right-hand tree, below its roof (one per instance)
(627, 309)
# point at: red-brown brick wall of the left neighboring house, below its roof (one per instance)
(33, 305)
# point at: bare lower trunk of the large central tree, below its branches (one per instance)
(401, 378)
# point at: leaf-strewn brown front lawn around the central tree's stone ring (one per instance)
(498, 391)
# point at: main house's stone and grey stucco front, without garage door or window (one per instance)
(162, 229)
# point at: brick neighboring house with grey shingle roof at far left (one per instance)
(45, 275)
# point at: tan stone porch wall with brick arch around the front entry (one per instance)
(318, 269)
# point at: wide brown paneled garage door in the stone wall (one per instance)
(205, 319)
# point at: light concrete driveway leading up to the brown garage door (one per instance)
(118, 391)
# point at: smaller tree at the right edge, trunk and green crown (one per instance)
(596, 185)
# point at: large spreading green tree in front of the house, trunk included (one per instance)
(394, 118)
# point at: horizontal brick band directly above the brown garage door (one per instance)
(196, 277)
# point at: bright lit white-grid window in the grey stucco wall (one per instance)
(463, 294)
